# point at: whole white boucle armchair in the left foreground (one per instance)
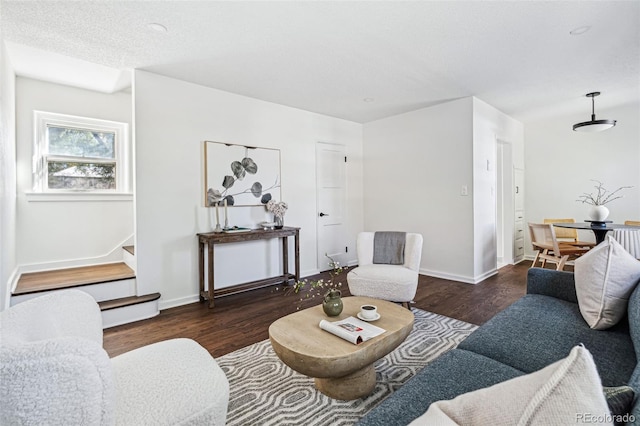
(54, 371)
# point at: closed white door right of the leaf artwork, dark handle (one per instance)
(331, 167)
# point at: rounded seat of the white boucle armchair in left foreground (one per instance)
(167, 383)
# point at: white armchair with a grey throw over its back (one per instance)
(395, 283)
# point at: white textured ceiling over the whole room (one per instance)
(328, 57)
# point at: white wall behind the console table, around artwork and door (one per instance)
(173, 118)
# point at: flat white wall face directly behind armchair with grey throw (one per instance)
(414, 167)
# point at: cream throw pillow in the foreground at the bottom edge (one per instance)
(566, 392)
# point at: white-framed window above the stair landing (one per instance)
(78, 154)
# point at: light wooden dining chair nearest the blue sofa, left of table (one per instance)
(548, 249)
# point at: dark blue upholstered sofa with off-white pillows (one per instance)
(537, 330)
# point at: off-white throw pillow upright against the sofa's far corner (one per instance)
(605, 278)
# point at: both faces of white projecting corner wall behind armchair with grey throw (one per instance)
(415, 166)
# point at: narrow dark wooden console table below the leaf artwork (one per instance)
(210, 239)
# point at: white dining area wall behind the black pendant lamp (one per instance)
(560, 164)
